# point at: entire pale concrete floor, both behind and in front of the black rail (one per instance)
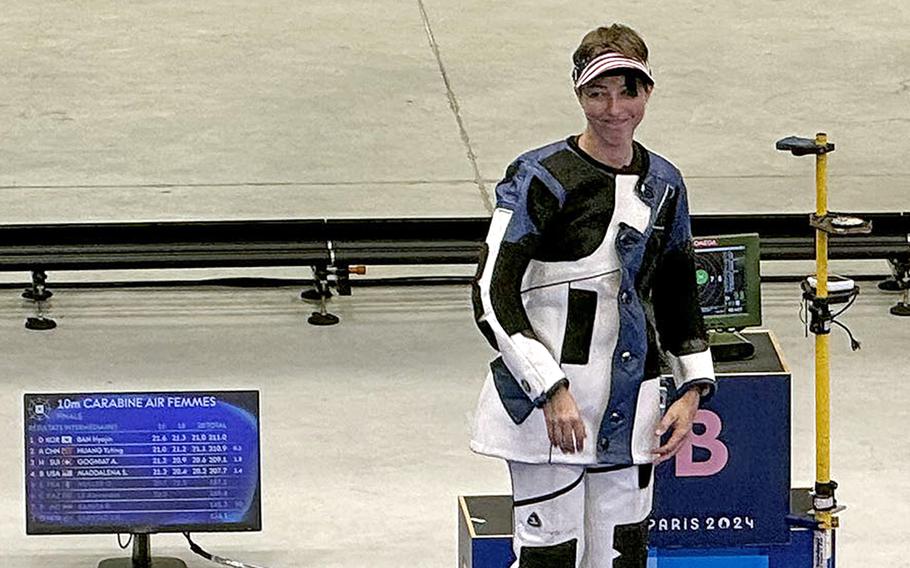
(231, 110)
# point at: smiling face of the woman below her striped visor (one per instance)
(612, 110)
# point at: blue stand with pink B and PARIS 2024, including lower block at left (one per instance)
(723, 501)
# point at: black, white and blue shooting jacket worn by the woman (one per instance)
(586, 277)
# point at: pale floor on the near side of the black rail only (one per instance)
(365, 425)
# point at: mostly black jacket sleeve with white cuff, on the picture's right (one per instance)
(676, 307)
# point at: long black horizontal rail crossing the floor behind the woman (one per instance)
(315, 242)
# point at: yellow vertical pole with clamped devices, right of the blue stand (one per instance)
(822, 365)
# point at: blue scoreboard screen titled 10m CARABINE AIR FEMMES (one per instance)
(142, 462)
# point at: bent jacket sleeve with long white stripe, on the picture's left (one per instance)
(524, 205)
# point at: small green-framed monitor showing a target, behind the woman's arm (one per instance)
(729, 280)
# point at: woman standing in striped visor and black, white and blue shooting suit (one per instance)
(586, 281)
